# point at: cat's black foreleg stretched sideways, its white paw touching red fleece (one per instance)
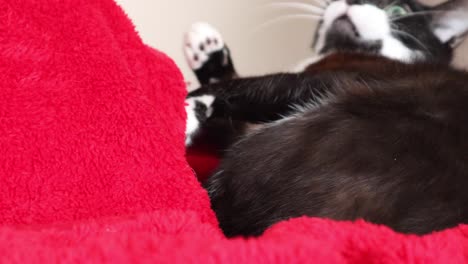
(253, 100)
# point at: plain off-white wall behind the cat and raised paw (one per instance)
(161, 24)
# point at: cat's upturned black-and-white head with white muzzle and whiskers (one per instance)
(399, 29)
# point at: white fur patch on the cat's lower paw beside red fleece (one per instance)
(193, 124)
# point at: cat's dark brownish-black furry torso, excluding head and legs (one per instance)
(388, 148)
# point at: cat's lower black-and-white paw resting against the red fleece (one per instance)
(198, 109)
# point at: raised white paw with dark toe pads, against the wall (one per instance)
(200, 42)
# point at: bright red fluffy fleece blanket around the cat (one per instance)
(92, 165)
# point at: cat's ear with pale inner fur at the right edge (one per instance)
(450, 21)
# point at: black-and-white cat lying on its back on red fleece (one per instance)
(375, 130)
